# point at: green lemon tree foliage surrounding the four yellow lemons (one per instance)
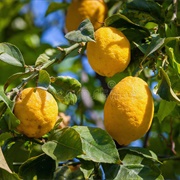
(84, 150)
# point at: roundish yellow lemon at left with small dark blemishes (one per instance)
(37, 111)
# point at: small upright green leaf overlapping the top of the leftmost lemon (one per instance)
(43, 79)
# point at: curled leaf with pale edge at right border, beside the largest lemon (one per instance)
(164, 88)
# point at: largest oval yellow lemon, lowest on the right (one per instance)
(128, 110)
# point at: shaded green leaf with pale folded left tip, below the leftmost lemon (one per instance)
(63, 145)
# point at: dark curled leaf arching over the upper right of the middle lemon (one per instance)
(132, 31)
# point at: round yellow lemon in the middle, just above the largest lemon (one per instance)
(110, 53)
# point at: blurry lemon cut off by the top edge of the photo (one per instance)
(80, 10)
